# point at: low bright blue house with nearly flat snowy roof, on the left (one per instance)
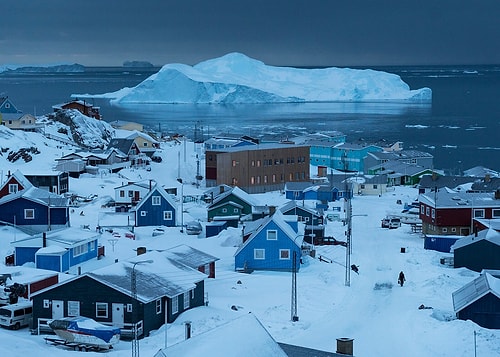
(57, 250)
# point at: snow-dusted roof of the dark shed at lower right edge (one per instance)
(475, 290)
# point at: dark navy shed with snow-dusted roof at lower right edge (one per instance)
(479, 301)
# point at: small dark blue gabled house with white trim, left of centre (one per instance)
(157, 208)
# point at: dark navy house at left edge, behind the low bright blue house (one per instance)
(35, 210)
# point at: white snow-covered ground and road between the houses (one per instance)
(383, 318)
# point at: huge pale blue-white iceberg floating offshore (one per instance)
(236, 78)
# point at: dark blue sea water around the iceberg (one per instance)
(461, 127)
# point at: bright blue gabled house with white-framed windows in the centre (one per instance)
(271, 246)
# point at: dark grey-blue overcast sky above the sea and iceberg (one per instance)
(277, 32)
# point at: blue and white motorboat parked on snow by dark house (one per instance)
(85, 331)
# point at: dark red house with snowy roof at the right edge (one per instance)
(448, 212)
